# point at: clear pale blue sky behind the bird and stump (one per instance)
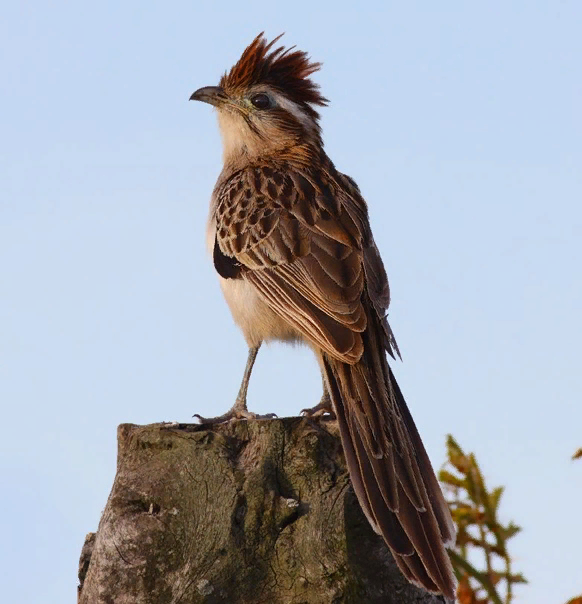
(462, 125)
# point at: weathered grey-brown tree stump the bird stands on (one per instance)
(241, 513)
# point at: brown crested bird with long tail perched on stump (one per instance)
(291, 241)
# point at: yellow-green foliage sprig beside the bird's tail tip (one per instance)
(480, 534)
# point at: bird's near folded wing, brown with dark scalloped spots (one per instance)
(302, 249)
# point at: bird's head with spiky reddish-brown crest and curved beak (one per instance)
(266, 101)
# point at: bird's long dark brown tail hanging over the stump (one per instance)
(390, 470)
